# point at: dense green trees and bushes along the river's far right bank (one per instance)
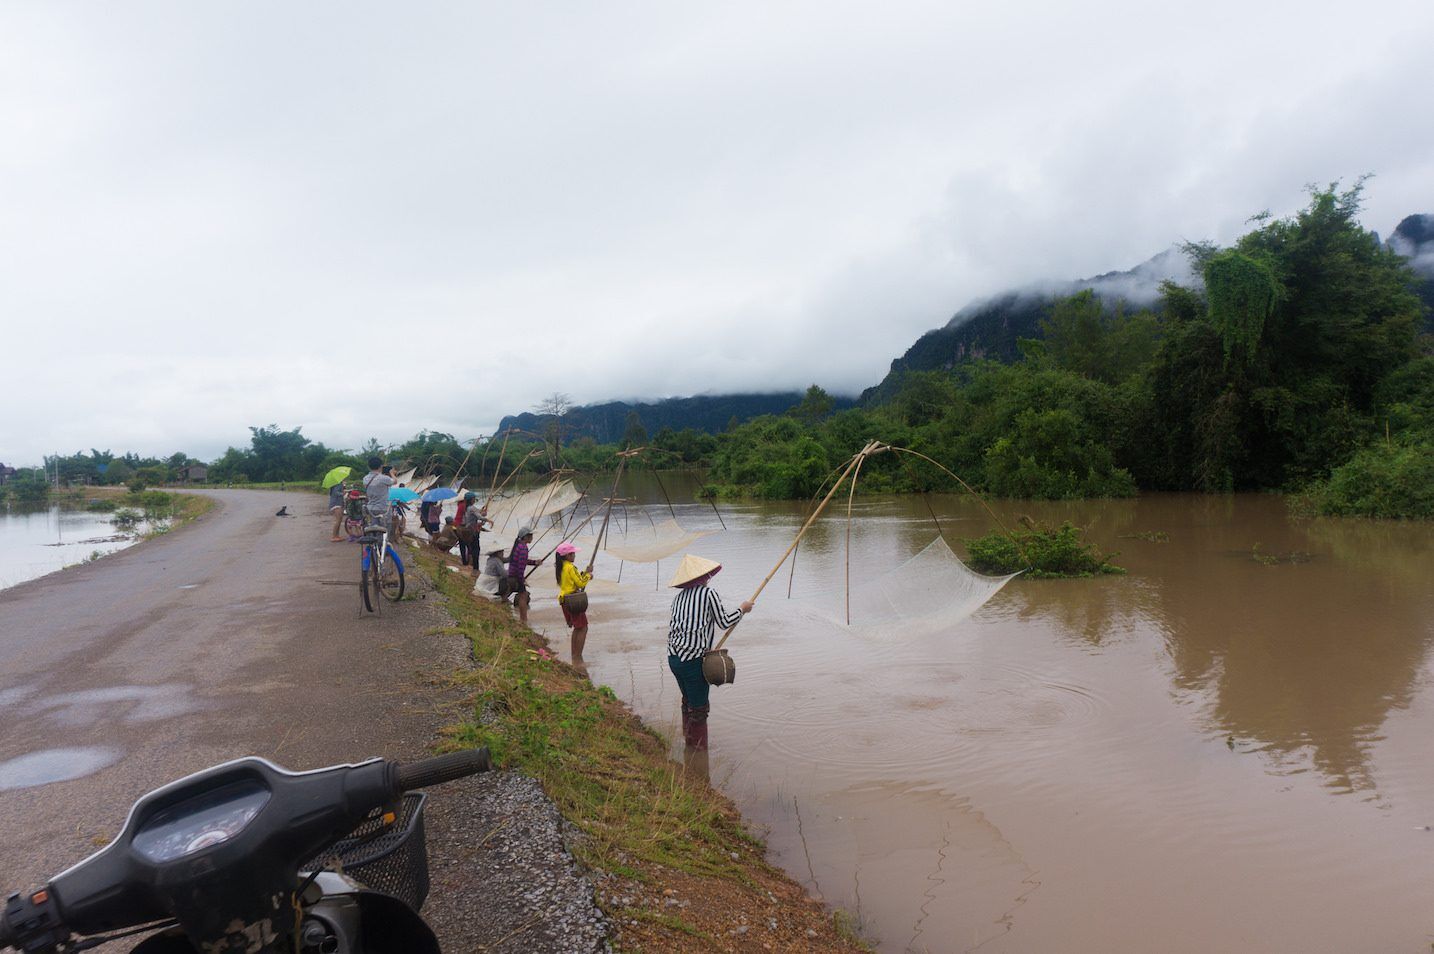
(1293, 362)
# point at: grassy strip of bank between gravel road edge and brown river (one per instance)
(678, 869)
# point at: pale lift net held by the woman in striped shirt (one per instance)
(933, 590)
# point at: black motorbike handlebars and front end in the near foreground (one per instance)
(252, 857)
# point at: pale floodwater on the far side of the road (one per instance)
(41, 540)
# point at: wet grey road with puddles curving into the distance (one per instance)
(227, 638)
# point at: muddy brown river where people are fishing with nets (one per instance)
(1227, 750)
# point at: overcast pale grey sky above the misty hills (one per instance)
(372, 219)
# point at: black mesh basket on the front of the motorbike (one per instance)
(395, 863)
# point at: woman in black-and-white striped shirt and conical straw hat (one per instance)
(698, 610)
